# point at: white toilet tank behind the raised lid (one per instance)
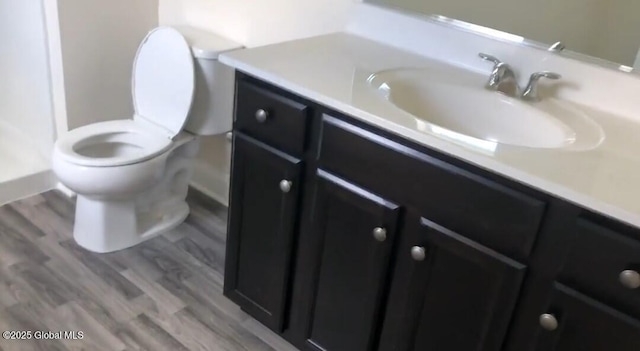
(212, 108)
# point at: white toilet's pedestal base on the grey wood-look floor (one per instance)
(112, 222)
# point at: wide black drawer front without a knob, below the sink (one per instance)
(483, 210)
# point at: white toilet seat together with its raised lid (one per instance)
(163, 84)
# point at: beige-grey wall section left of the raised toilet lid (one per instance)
(98, 41)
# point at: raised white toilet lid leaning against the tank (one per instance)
(163, 80)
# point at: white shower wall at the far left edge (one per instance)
(25, 97)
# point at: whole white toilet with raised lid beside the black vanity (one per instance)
(131, 176)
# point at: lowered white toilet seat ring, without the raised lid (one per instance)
(111, 143)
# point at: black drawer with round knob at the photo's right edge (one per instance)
(604, 263)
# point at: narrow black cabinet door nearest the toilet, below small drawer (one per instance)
(262, 219)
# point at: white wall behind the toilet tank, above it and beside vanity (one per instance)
(251, 23)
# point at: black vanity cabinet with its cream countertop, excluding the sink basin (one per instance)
(352, 229)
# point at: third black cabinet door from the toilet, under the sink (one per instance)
(448, 292)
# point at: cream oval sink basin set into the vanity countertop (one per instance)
(456, 105)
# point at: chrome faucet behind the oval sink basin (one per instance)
(503, 79)
